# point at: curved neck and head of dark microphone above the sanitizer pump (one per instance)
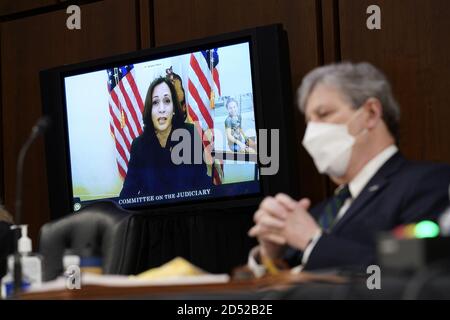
(41, 125)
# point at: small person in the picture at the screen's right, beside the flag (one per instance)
(237, 140)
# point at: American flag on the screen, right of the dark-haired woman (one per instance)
(203, 86)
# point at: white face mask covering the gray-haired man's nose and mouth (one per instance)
(330, 145)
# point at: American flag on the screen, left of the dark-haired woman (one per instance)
(125, 109)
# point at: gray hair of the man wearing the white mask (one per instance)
(357, 82)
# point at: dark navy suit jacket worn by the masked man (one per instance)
(400, 192)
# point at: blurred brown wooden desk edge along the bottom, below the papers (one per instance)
(304, 286)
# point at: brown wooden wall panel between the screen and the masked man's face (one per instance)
(177, 21)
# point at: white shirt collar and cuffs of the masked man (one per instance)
(355, 186)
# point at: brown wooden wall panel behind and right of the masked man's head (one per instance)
(412, 48)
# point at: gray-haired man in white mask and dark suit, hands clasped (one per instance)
(352, 126)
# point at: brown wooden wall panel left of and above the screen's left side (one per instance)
(31, 44)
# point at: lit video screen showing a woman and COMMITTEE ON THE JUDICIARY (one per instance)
(162, 131)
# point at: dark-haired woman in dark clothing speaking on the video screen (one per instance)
(151, 170)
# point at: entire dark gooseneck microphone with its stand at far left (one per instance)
(37, 130)
